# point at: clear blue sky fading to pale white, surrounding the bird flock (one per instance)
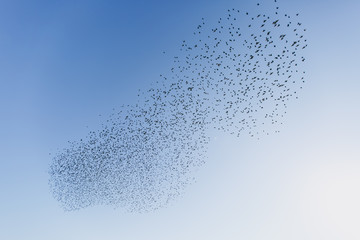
(62, 63)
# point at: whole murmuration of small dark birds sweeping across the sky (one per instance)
(236, 75)
